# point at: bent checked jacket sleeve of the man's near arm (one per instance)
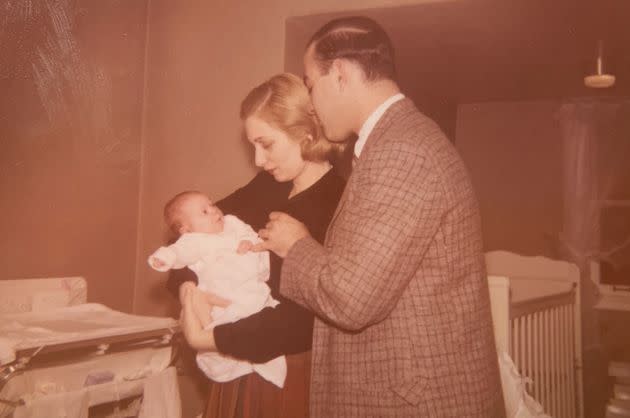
(375, 244)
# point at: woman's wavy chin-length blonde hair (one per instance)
(283, 102)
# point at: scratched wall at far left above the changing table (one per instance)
(71, 83)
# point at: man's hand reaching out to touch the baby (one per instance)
(280, 233)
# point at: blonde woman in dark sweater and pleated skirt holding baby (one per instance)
(297, 179)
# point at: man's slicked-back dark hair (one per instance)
(359, 39)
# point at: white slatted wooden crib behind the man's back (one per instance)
(536, 315)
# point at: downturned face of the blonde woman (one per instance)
(274, 151)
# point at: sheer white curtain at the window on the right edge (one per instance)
(596, 151)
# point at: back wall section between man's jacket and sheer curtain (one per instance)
(514, 154)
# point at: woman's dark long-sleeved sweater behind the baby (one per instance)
(287, 328)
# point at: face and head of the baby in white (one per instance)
(198, 214)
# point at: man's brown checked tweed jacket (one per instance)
(403, 325)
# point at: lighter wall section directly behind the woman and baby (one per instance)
(203, 57)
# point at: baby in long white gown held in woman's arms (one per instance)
(216, 248)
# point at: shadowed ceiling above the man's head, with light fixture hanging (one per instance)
(495, 50)
